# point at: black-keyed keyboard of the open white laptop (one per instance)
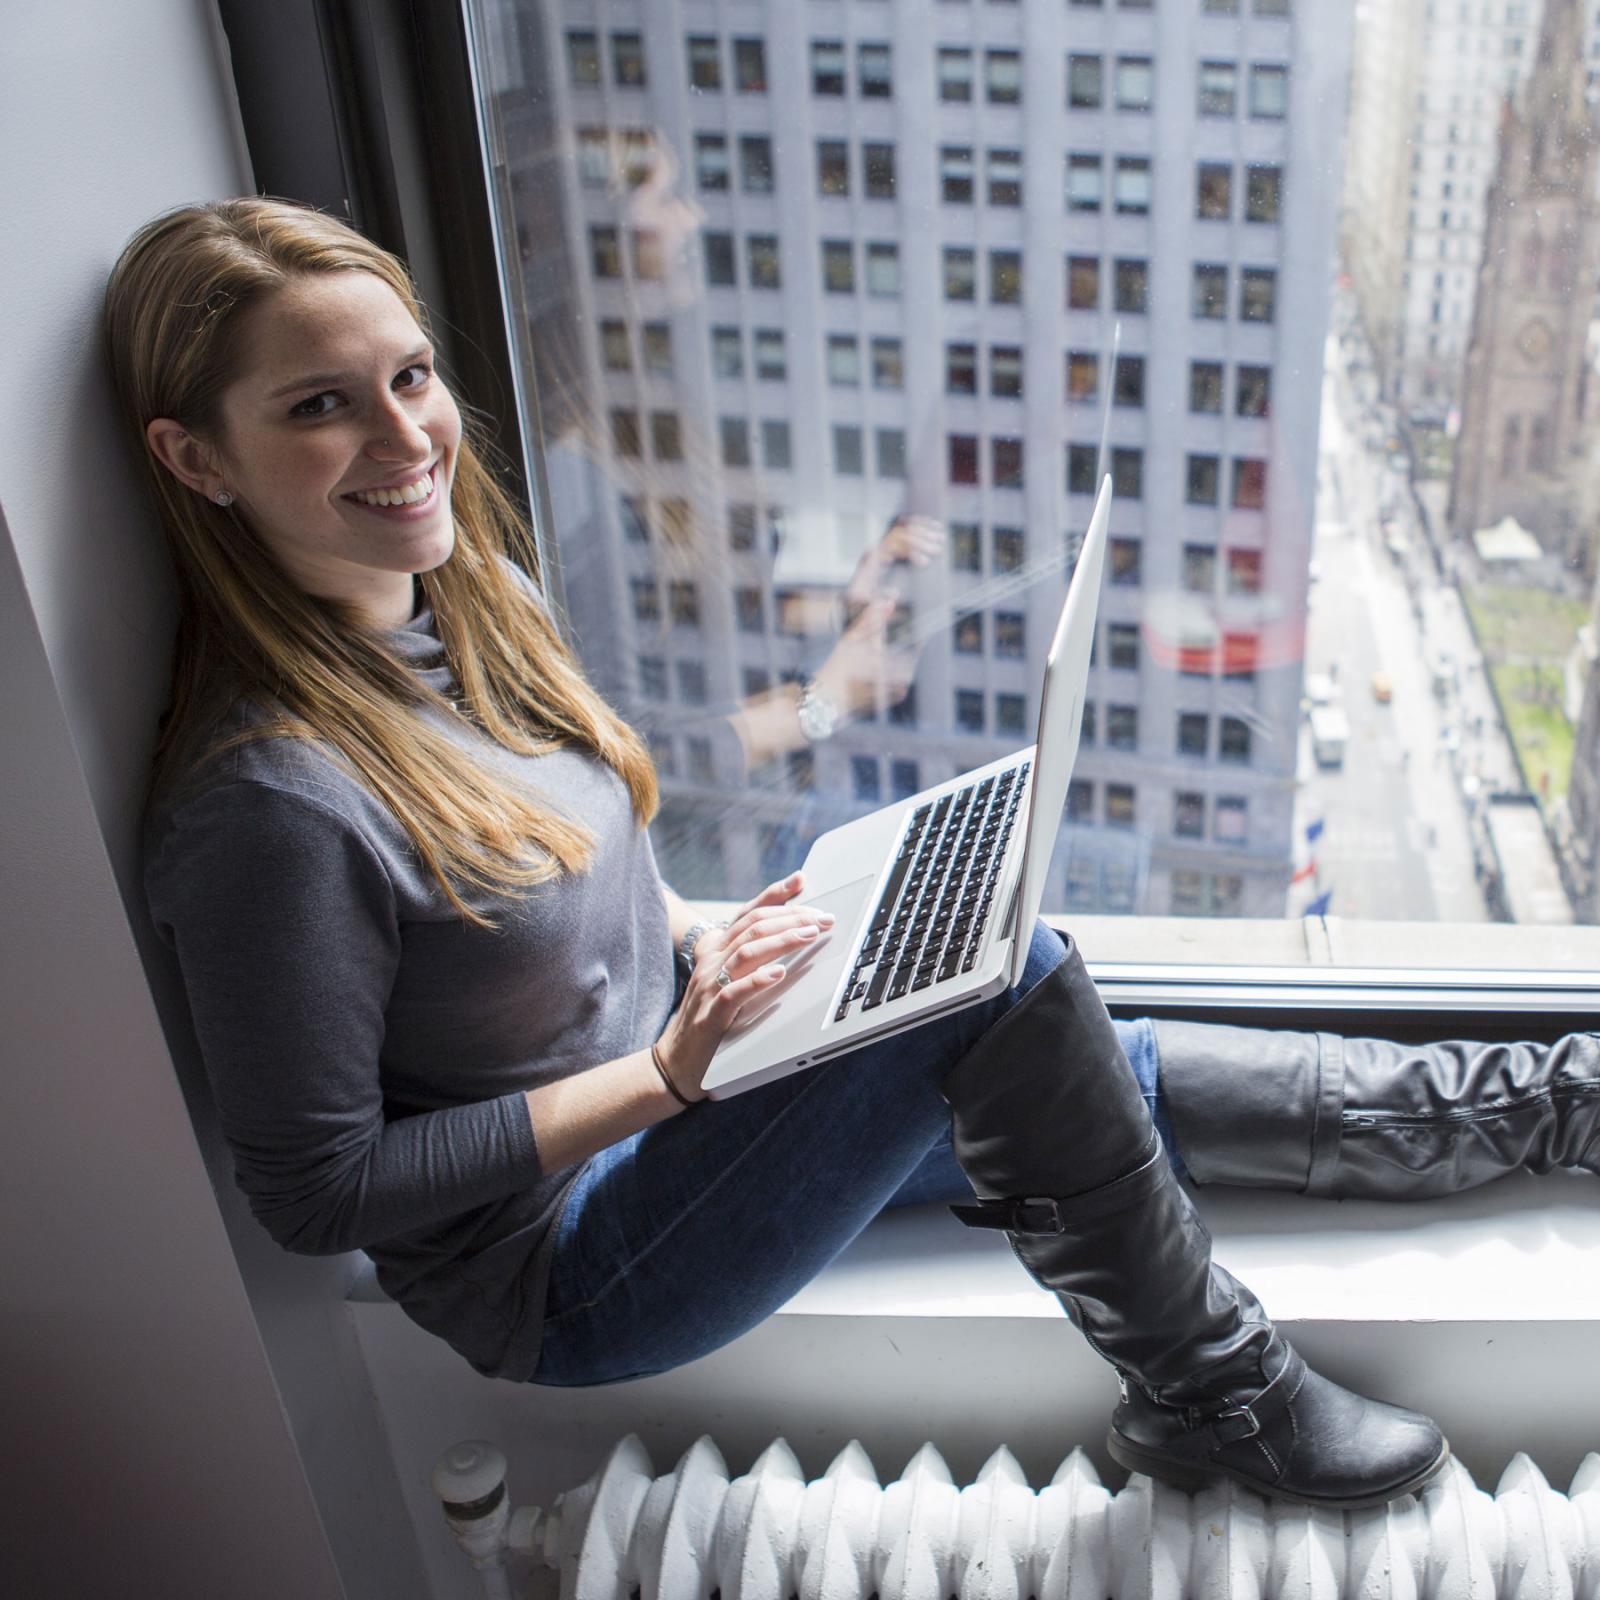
(930, 921)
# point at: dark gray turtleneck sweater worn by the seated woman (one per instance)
(370, 1050)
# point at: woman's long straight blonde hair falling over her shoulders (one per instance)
(174, 314)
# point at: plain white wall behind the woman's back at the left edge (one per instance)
(182, 1402)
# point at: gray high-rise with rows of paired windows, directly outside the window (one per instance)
(841, 262)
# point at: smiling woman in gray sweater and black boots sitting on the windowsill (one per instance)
(399, 849)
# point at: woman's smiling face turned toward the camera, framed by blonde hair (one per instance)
(340, 442)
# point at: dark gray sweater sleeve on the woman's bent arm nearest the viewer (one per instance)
(284, 922)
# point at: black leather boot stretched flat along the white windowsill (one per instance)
(1369, 1118)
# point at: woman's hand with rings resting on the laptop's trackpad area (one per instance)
(751, 953)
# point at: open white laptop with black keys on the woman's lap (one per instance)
(935, 897)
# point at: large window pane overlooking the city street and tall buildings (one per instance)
(761, 327)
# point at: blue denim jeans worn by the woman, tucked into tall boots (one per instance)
(686, 1236)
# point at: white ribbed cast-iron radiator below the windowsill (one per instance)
(770, 1535)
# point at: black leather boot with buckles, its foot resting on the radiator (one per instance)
(1054, 1134)
